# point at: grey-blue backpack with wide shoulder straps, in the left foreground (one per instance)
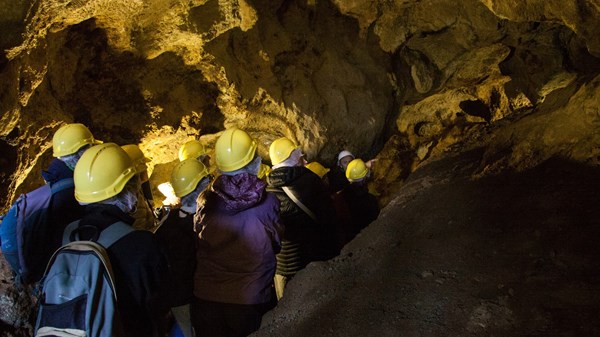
(78, 296)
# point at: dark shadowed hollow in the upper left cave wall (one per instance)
(119, 94)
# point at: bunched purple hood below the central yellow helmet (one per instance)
(237, 193)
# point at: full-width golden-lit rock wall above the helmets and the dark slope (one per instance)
(411, 78)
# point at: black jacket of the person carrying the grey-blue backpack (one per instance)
(140, 270)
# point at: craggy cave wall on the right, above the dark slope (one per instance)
(469, 73)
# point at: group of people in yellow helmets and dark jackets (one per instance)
(222, 256)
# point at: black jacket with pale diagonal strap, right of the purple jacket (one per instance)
(305, 239)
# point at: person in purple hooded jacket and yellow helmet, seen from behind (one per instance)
(239, 235)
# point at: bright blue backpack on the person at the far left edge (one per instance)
(25, 230)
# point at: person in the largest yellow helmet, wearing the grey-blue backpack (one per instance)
(106, 182)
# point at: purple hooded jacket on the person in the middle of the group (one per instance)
(239, 228)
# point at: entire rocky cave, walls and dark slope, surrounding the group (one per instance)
(483, 117)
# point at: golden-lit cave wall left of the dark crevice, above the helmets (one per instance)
(160, 72)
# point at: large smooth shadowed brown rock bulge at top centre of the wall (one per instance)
(310, 59)
